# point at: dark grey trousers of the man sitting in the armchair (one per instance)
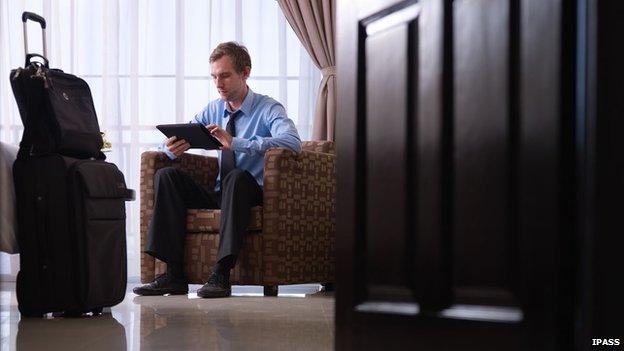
(175, 192)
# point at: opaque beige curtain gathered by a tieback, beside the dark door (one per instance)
(313, 22)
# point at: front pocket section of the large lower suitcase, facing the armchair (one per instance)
(101, 235)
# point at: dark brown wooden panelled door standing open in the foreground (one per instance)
(456, 175)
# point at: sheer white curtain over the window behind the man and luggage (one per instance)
(146, 62)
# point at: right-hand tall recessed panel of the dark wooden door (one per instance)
(482, 238)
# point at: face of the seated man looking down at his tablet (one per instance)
(230, 84)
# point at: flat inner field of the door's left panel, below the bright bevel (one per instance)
(386, 157)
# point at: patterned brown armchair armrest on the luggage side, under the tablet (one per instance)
(201, 168)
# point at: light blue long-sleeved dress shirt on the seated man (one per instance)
(262, 124)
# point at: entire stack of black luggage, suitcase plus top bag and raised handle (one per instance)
(70, 202)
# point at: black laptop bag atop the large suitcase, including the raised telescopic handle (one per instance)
(56, 108)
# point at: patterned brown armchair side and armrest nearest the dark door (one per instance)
(299, 222)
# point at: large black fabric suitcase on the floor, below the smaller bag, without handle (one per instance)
(71, 234)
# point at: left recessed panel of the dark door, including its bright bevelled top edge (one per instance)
(389, 102)
